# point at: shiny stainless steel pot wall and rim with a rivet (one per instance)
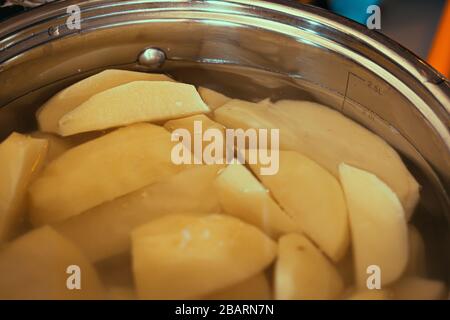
(247, 49)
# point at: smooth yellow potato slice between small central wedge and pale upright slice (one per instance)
(313, 198)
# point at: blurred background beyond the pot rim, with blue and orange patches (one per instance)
(422, 26)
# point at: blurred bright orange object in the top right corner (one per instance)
(439, 56)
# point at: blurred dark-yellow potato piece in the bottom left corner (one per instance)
(35, 266)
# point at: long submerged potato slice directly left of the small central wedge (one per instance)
(104, 231)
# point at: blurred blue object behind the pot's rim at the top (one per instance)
(353, 9)
